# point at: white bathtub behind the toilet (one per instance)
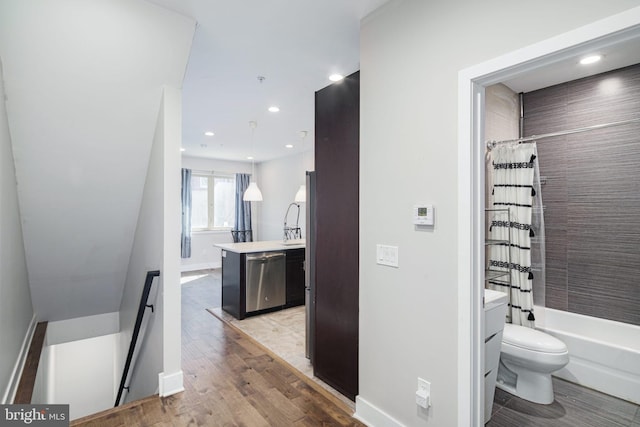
(604, 355)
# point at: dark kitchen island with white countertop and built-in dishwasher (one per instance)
(259, 277)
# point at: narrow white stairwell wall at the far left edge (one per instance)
(16, 310)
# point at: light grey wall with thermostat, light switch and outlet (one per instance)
(411, 52)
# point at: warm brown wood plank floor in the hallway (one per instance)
(230, 380)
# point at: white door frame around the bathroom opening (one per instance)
(471, 84)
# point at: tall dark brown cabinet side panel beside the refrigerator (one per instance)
(337, 135)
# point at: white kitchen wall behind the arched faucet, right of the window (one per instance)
(279, 181)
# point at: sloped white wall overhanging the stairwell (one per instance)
(85, 81)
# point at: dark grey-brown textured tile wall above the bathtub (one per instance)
(591, 194)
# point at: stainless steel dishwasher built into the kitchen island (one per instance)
(265, 280)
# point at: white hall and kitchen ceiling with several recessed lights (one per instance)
(294, 45)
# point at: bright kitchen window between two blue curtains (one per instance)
(213, 199)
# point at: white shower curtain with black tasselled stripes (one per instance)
(510, 214)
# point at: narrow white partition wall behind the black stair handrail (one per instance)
(156, 246)
